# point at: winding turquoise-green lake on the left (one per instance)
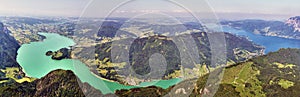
(36, 64)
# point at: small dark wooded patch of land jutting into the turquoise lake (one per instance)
(63, 53)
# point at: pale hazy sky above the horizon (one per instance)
(258, 8)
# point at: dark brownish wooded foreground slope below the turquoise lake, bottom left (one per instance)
(58, 83)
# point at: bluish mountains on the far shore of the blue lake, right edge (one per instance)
(288, 29)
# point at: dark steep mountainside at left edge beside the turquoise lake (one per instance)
(8, 48)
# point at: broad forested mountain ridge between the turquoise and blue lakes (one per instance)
(239, 49)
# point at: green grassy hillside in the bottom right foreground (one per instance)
(271, 75)
